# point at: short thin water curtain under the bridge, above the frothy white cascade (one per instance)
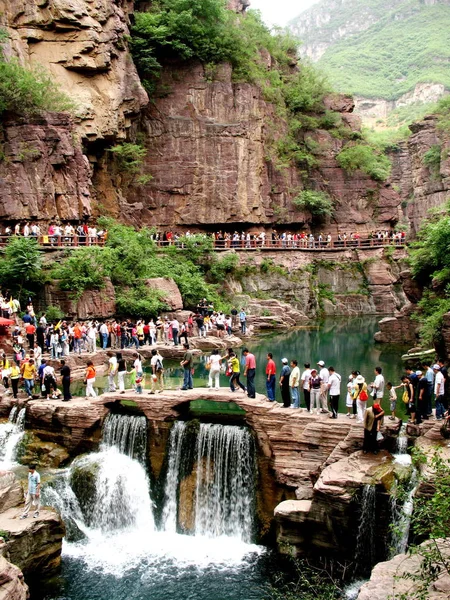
(128, 433)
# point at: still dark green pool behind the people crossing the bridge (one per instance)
(346, 344)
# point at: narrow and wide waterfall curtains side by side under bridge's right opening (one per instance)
(224, 473)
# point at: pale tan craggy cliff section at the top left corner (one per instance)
(82, 44)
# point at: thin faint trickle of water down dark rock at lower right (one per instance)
(365, 539)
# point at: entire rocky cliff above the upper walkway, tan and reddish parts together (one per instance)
(210, 141)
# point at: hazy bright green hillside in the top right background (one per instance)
(406, 45)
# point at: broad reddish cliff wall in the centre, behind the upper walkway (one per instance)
(209, 148)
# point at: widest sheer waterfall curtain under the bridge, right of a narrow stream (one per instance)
(225, 482)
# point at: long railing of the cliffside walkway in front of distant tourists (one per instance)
(54, 242)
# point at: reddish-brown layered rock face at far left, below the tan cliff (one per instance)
(43, 174)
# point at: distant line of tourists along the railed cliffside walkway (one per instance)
(84, 234)
